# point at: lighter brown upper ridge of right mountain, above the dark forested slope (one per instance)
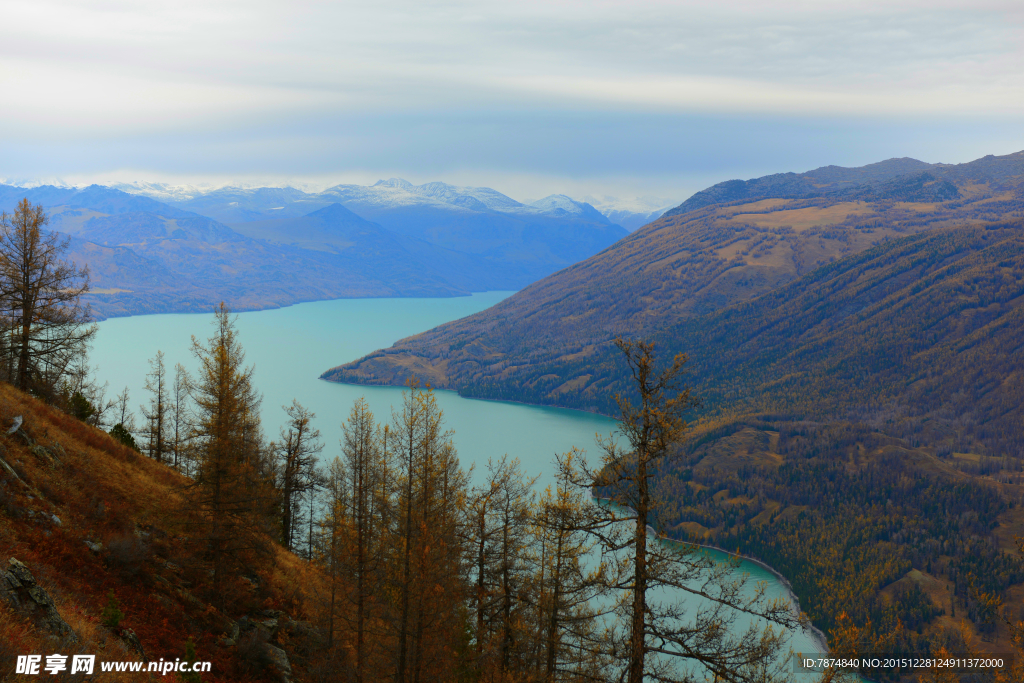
(690, 265)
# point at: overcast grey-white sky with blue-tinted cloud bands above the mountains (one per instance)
(626, 99)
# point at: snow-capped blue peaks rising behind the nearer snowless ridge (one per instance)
(519, 243)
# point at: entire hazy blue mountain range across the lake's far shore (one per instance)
(272, 247)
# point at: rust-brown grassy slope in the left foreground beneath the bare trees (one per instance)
(89, 517)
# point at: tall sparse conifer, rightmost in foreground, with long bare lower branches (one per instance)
(663, 637)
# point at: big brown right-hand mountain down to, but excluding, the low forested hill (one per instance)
(893, 291)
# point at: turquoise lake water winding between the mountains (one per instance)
(291, 348)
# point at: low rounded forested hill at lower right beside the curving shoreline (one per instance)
(904, 542)
